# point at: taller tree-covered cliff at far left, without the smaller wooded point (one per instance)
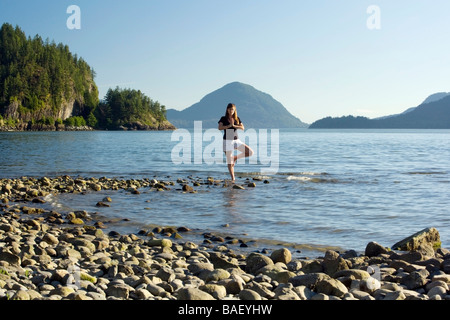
(42, 82)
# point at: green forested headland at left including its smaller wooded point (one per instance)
(43, 86)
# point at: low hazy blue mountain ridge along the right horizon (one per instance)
(433, 113)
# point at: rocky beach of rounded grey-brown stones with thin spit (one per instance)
(48, 255)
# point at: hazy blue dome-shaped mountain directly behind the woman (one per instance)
(255, 108)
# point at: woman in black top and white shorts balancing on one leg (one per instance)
(230, 123)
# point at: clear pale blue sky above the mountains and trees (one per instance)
(318, 58)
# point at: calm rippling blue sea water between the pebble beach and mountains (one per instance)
(334, 188)
